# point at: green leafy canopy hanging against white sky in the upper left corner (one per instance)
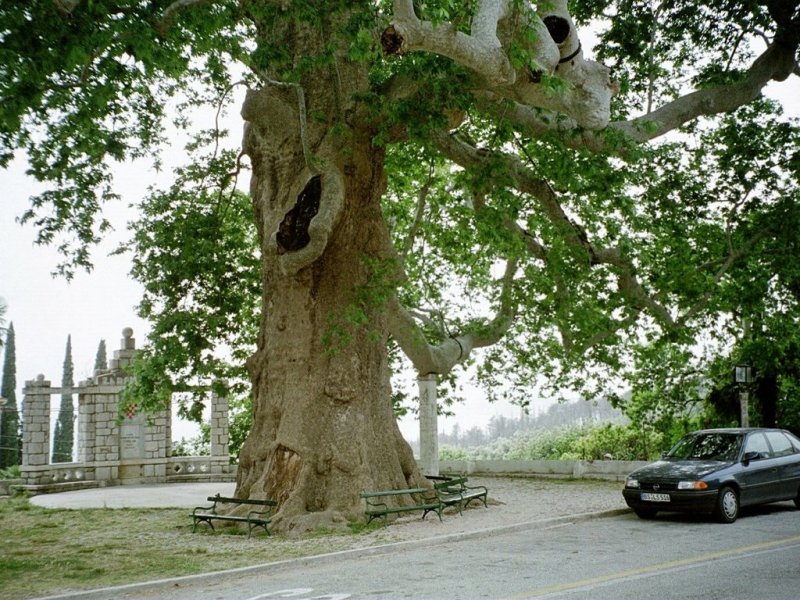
(86, 84)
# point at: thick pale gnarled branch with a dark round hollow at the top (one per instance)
(554, 50)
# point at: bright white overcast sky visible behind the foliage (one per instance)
(98, 305)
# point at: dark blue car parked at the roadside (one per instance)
(718, 471)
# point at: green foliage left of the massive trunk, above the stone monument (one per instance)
(195, 251)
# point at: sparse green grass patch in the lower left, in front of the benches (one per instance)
(51, 551)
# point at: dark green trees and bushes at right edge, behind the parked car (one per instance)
(684, 382)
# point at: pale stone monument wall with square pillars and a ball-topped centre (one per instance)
(114, 449)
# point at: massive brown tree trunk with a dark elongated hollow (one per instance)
(323, 427)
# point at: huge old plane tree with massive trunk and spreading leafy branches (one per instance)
(445, 176)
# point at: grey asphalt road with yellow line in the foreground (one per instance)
(618, 558)
